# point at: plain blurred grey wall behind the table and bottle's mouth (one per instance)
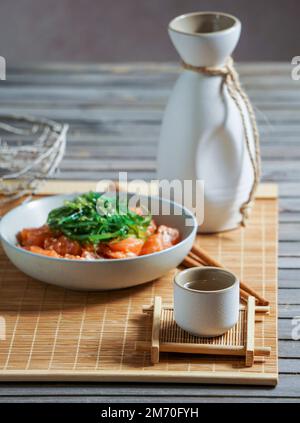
(135, 30)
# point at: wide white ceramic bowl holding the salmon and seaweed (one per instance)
(93, 274)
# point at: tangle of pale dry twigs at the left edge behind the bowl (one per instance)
(31, 150)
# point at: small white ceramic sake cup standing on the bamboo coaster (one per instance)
(211, 309)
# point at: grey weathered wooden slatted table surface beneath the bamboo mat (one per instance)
(114, 112)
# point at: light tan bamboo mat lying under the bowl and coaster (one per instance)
(49, 333)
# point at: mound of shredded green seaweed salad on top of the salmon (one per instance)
(93, 218)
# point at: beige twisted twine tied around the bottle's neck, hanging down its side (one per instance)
(238, 95)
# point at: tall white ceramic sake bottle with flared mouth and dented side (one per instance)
(202, 136)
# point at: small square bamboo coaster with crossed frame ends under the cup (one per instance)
(167, 336)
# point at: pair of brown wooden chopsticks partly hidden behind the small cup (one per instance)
(199, 256)
